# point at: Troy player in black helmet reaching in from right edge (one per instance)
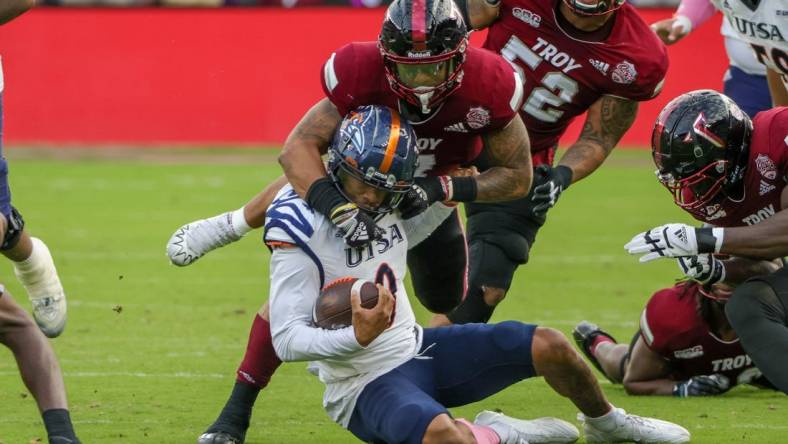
(731, 172)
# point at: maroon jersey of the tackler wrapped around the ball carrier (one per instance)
(488, 98)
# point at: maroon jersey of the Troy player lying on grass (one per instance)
(671, 326)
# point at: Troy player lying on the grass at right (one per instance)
(685, 345)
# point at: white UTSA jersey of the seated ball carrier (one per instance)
(312, 254)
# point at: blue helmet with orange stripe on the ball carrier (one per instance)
(376, 147)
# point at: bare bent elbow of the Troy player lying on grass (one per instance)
(647, 372)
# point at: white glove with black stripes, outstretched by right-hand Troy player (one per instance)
(675, 240)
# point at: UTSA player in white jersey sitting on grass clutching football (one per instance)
(387, 379)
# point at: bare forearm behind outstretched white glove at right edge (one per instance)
(766, 240)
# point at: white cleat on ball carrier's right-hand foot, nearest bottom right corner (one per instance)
(632, 428)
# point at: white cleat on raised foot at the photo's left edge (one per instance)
(39, 277)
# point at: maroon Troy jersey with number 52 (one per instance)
(563, 75)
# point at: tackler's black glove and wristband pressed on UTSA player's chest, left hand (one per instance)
(356, 226)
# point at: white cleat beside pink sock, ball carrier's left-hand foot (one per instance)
(535, 431)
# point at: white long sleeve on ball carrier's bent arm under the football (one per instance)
(295, 284)
